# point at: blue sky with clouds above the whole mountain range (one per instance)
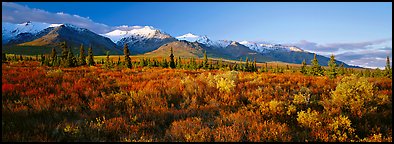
(358, 33)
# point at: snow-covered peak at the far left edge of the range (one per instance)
(10, 30)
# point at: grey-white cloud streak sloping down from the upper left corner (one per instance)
(16, 13)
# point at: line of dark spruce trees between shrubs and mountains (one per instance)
(67, 59)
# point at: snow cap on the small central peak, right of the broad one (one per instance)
(204, 40)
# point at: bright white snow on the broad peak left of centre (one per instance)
(137, 33)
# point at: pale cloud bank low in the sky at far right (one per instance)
(371, 54)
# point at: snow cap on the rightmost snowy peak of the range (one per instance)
(266, 47)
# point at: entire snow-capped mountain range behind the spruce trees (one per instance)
(146, 40)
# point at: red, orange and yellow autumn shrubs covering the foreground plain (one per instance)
(142, 103)
